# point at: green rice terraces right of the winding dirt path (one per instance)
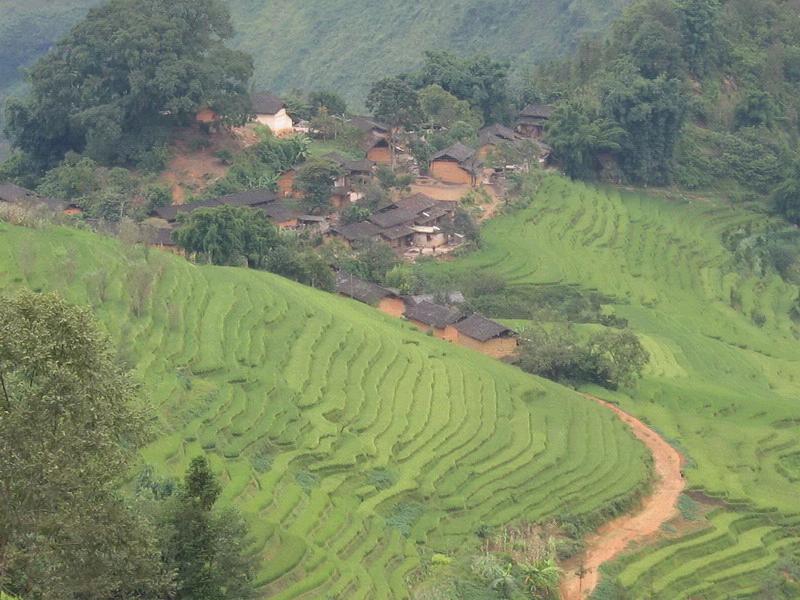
(724, 379)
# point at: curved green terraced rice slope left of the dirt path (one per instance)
(355, 446)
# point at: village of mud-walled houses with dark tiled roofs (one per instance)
(411, 223)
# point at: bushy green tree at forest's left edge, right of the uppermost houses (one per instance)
(577, 139)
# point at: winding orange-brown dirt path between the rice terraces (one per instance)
(615, 536)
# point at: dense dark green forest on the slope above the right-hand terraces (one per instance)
(706, 92)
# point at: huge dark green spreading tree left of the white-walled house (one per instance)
(129, 70)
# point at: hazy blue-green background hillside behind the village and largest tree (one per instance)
(342, 45)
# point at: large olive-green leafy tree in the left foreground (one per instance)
(70, 425)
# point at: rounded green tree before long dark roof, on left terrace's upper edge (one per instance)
(228, 235)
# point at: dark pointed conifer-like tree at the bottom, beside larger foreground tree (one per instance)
(204, 547)
